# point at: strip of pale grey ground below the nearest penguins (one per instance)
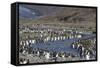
(36, 59)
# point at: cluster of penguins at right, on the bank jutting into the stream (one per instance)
(86, 53)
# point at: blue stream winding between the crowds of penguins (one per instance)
(62, 45)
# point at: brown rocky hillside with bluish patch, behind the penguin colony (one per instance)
(54, 14)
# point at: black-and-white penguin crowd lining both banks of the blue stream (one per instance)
(46, 35)
